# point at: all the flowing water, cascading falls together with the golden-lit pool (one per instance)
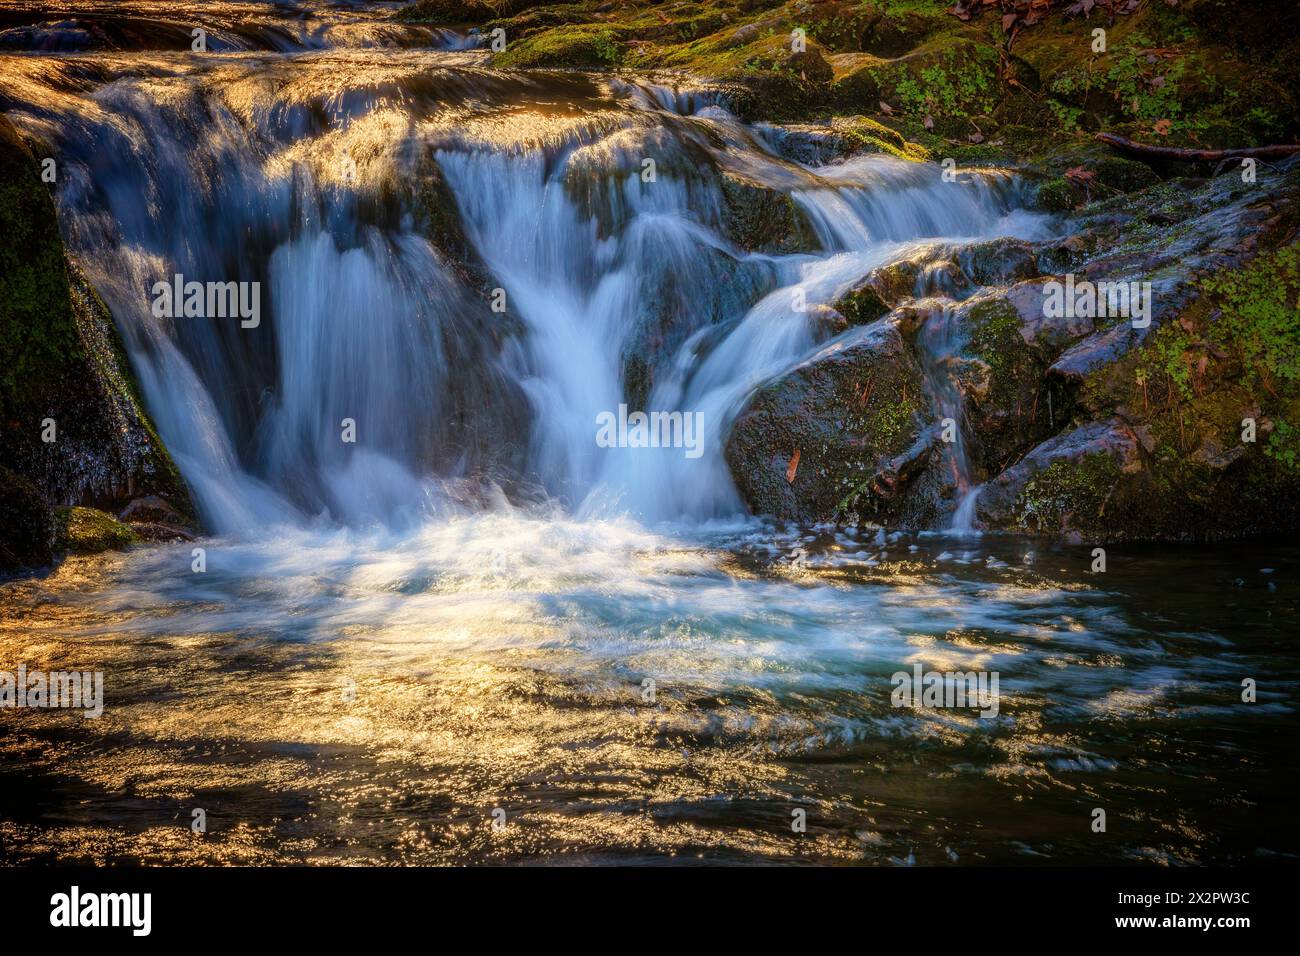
(478, 609)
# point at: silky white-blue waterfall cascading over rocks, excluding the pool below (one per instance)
(320, 185)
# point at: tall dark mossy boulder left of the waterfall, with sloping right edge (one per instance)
(71, 417)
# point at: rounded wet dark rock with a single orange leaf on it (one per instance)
(855, 416)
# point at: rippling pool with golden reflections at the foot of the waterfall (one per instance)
(333, 697)
